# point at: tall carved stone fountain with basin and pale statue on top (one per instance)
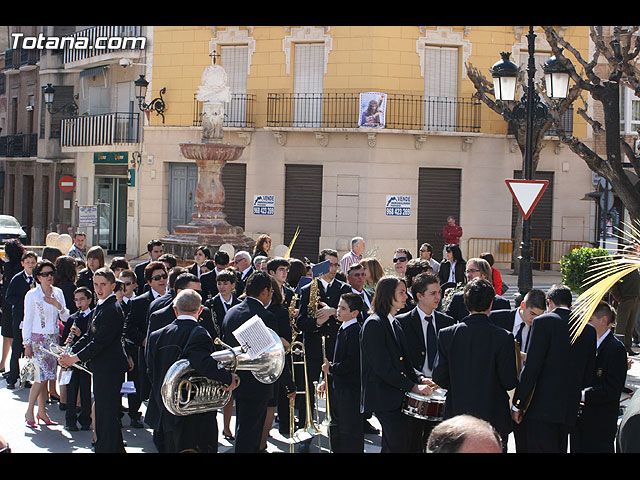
(208, 225)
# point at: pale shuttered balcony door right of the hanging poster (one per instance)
(440, 88)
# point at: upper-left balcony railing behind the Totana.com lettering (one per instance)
(124, 36)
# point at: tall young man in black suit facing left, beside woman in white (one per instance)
(102, 349)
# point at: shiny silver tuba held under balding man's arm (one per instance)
(184, 392)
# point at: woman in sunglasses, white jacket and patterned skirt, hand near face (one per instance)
(43, 306)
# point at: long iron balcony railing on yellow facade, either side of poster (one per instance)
(342, 110)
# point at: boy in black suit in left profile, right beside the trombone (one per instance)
(347, 432)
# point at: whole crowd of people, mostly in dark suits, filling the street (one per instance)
(428, 335)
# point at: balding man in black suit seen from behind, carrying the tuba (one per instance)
(185, 338)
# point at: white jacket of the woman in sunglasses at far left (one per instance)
(41, 317)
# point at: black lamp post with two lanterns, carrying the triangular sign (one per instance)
(529, 110)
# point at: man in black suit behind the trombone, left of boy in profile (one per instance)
(323, 324)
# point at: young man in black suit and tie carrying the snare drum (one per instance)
(421, 326)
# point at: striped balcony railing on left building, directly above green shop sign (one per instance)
(106, 129)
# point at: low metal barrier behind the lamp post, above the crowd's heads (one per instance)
(544, 252)
